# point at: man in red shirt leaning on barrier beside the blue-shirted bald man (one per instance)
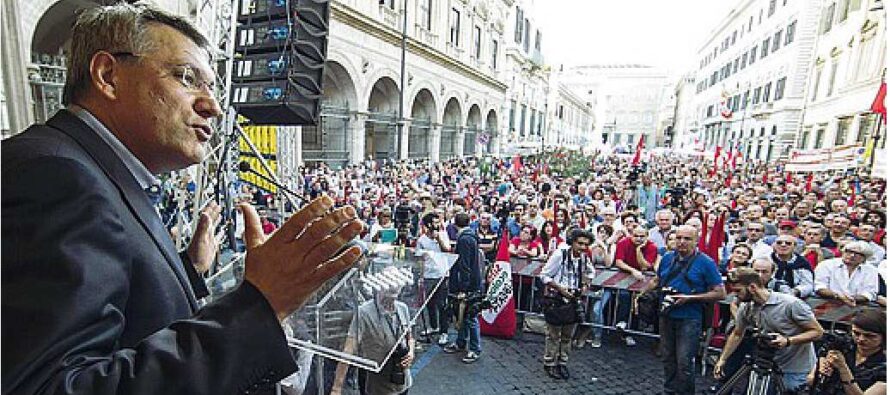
(634, 254)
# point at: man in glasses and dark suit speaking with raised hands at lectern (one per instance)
(95, 298)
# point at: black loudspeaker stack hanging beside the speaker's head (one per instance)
(280, 51)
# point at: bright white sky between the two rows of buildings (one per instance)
(664, 33)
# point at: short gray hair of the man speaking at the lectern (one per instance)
(117, 28)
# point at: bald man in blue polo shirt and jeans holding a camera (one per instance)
(696, 279)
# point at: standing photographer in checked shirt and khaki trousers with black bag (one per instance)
(566, 275)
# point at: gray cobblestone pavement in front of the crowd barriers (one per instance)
(514, 367)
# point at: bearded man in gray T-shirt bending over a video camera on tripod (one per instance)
(784, 321)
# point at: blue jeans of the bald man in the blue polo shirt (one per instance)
(679, 344)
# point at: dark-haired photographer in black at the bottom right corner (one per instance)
(870, 368)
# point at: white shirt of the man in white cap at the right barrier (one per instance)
(832, 274)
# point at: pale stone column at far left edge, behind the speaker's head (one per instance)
(16, 87)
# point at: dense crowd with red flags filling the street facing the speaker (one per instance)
(821, 235)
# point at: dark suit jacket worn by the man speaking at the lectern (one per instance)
(95, 298)
